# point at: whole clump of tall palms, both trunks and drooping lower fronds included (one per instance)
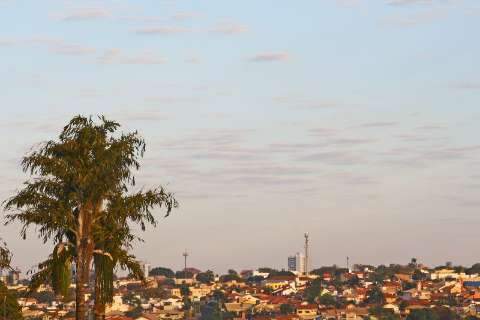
(79, 198)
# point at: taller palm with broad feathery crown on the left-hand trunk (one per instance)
(79, 180)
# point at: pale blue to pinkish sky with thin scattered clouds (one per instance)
(353, 120)
